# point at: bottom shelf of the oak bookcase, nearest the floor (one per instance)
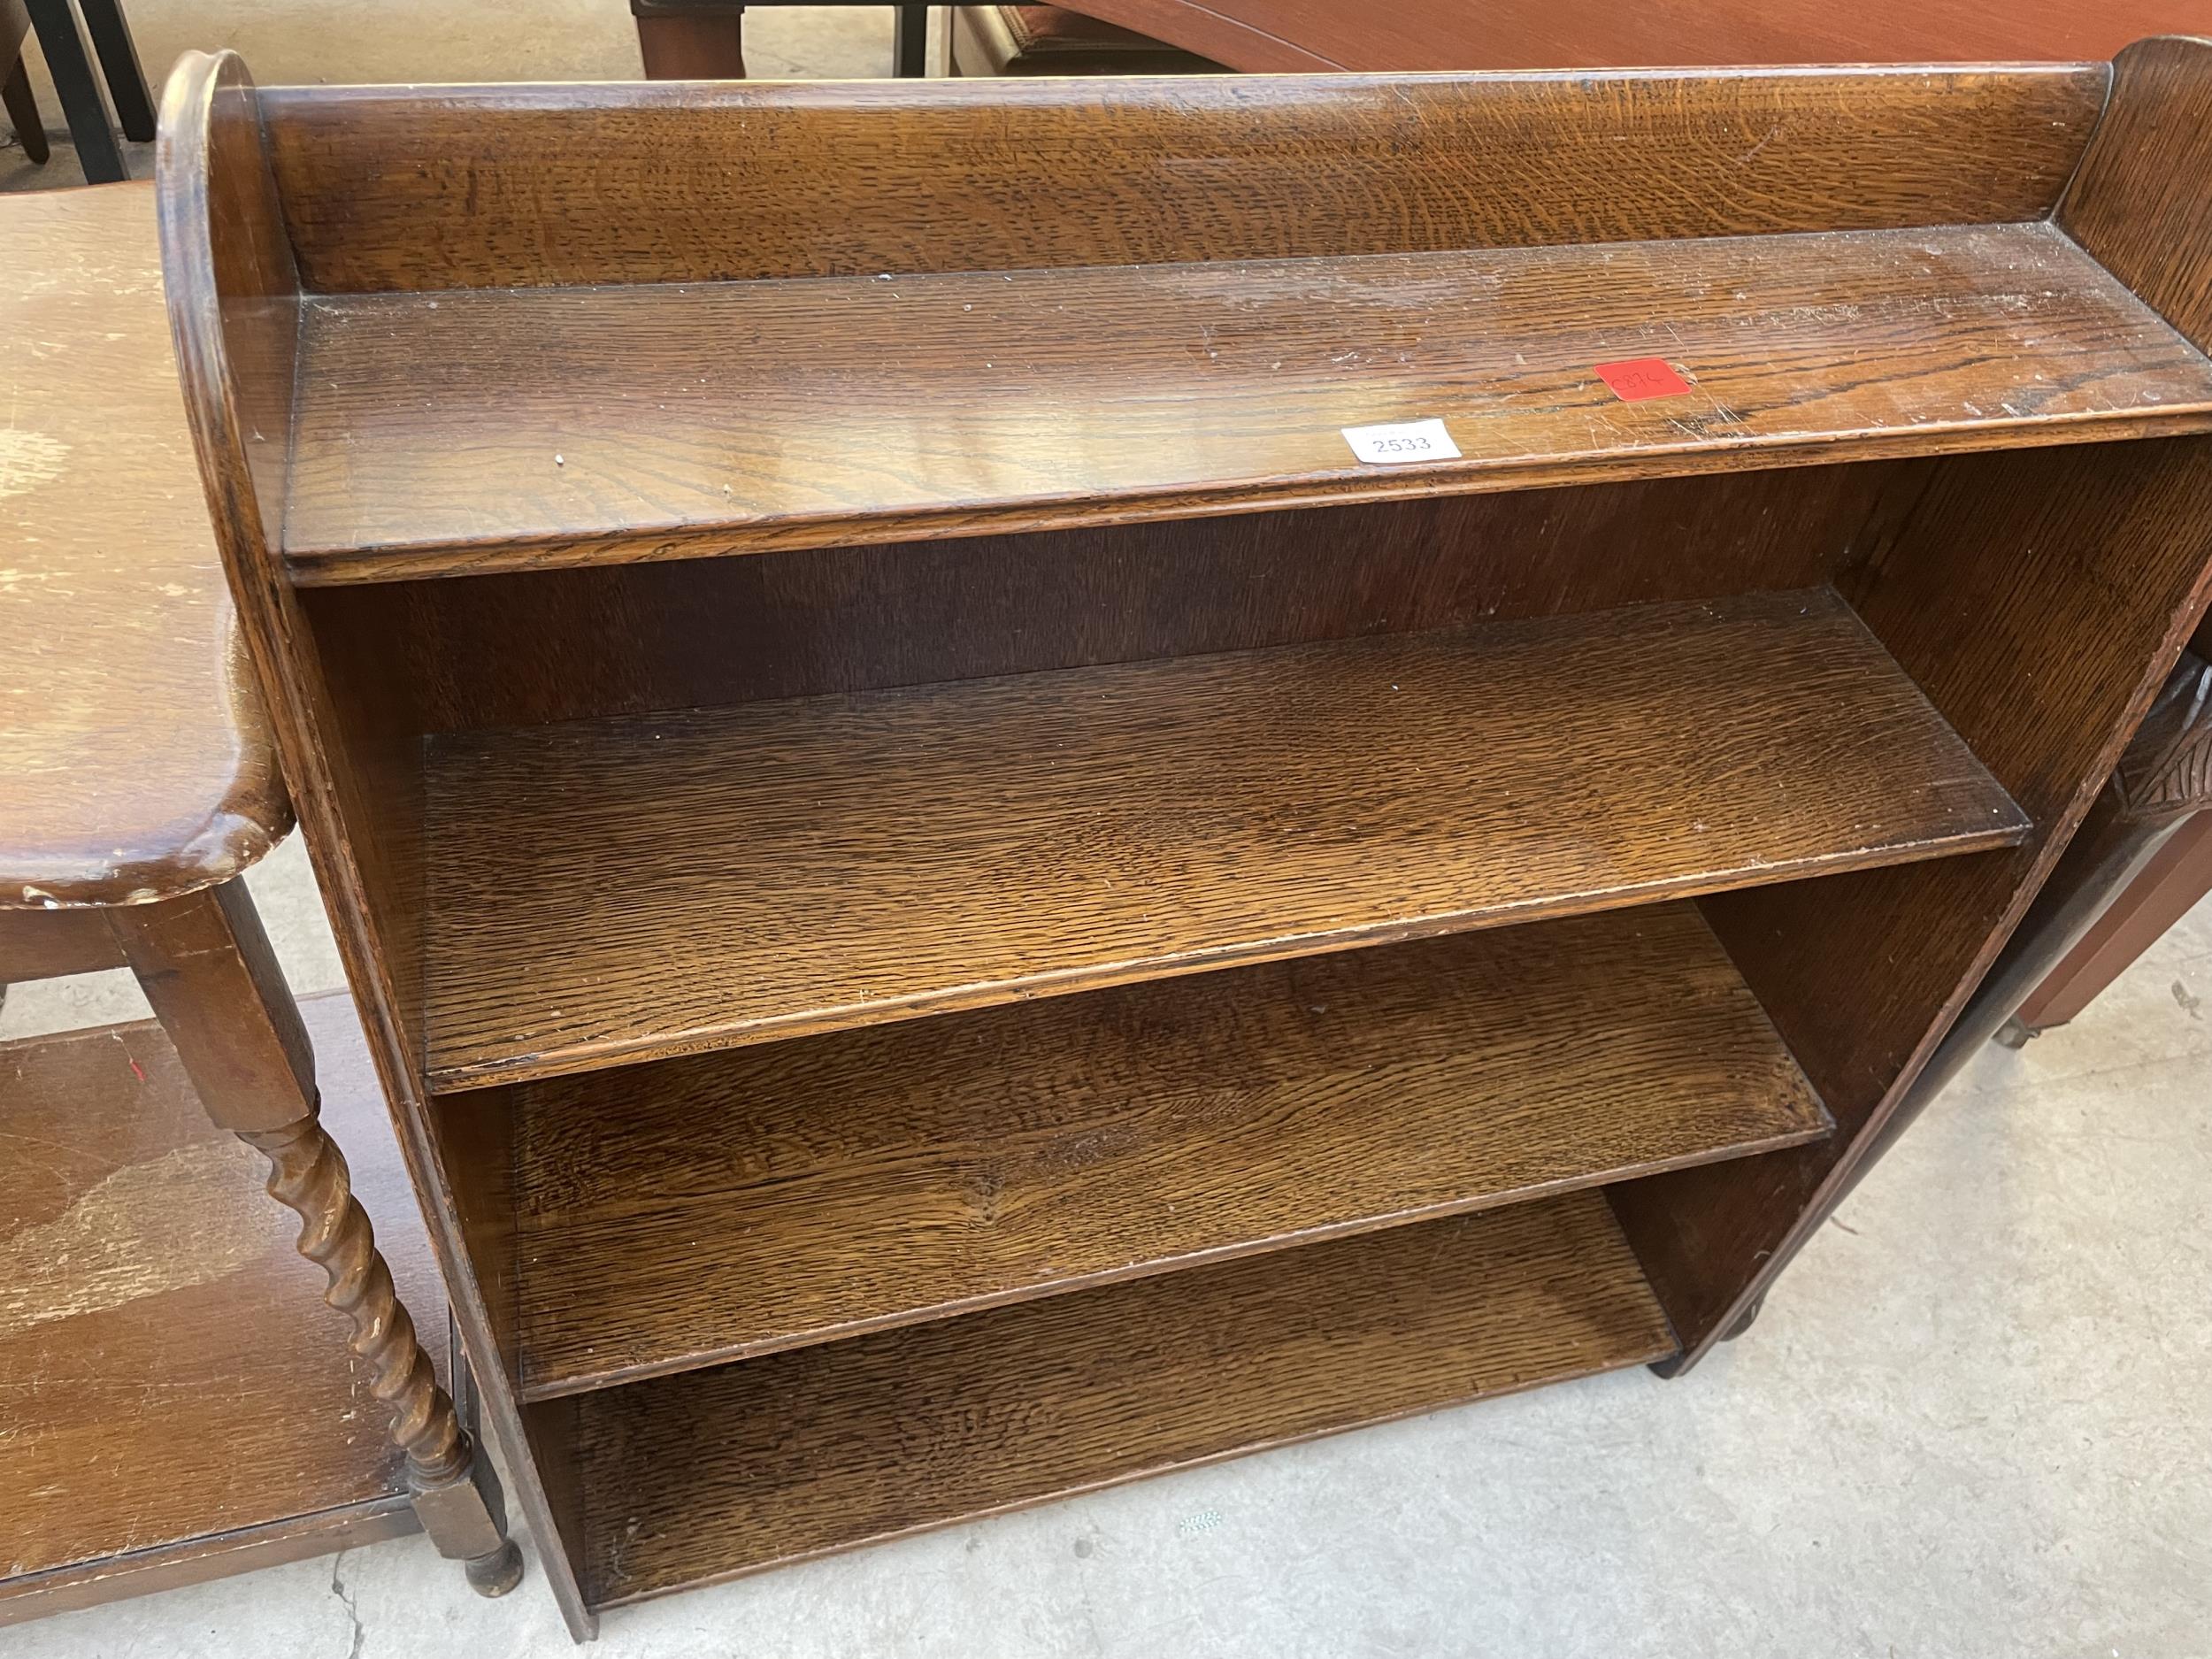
(727, 1472)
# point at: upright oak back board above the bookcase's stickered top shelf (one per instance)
(550, 187)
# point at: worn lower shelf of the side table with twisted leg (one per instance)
(169, 1368)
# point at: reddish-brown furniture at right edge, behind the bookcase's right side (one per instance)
(2153, 837)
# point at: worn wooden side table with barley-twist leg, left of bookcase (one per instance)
(140, 784)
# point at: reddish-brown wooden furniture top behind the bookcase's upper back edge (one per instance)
(1574, 34)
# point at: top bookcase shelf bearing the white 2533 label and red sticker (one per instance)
(501, 430)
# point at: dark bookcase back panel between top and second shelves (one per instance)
(625, 640)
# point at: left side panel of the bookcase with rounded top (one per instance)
(233, 295)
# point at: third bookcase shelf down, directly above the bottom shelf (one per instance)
(733, 1204)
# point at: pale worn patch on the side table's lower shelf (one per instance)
(187, 1218)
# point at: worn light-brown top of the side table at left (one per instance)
(136, 760)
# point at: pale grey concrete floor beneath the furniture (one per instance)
(1970, 1423)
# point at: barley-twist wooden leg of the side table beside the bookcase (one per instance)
(213, 981)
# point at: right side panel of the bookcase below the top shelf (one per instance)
(2041, 603)
